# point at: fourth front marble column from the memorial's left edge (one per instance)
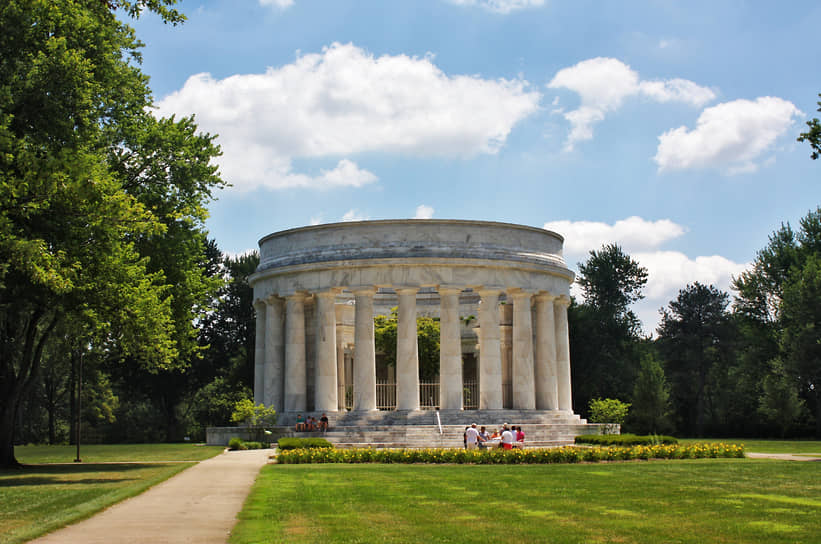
(325, 398)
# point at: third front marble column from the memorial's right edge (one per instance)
(524, 389)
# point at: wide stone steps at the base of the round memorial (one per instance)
(419, 429)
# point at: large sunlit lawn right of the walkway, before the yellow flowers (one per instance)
(704, 500)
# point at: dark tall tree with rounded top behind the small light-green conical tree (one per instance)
(695, 339)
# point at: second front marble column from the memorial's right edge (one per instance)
(547, 394)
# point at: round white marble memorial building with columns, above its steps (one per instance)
(500, 292)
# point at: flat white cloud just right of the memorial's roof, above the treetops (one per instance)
(633, 234)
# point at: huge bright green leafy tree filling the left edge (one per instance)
(86, 174)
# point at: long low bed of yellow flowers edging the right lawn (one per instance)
(567, 454)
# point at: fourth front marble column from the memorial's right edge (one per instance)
(490, 355)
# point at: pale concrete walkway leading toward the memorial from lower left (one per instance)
(200, 505)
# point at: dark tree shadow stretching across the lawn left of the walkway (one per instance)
(33, 475)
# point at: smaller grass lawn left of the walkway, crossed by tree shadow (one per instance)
(41, 497)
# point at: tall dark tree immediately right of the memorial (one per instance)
(605, 335)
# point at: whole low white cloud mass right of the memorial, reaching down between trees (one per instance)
(667, 271)
